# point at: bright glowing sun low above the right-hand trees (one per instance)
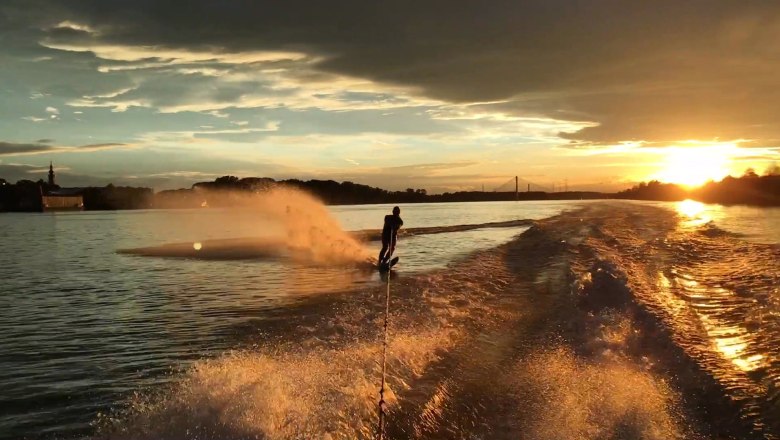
(695, 166)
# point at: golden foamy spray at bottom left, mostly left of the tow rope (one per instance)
(276, 394)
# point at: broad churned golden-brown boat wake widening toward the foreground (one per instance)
(610, 322)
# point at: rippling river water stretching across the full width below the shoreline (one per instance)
(95, 342)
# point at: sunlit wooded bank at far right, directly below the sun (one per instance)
(749, 189)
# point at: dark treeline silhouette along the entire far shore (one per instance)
(25, 195)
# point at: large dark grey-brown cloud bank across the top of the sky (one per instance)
(660, 70)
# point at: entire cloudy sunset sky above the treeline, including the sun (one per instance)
(442, 95)
